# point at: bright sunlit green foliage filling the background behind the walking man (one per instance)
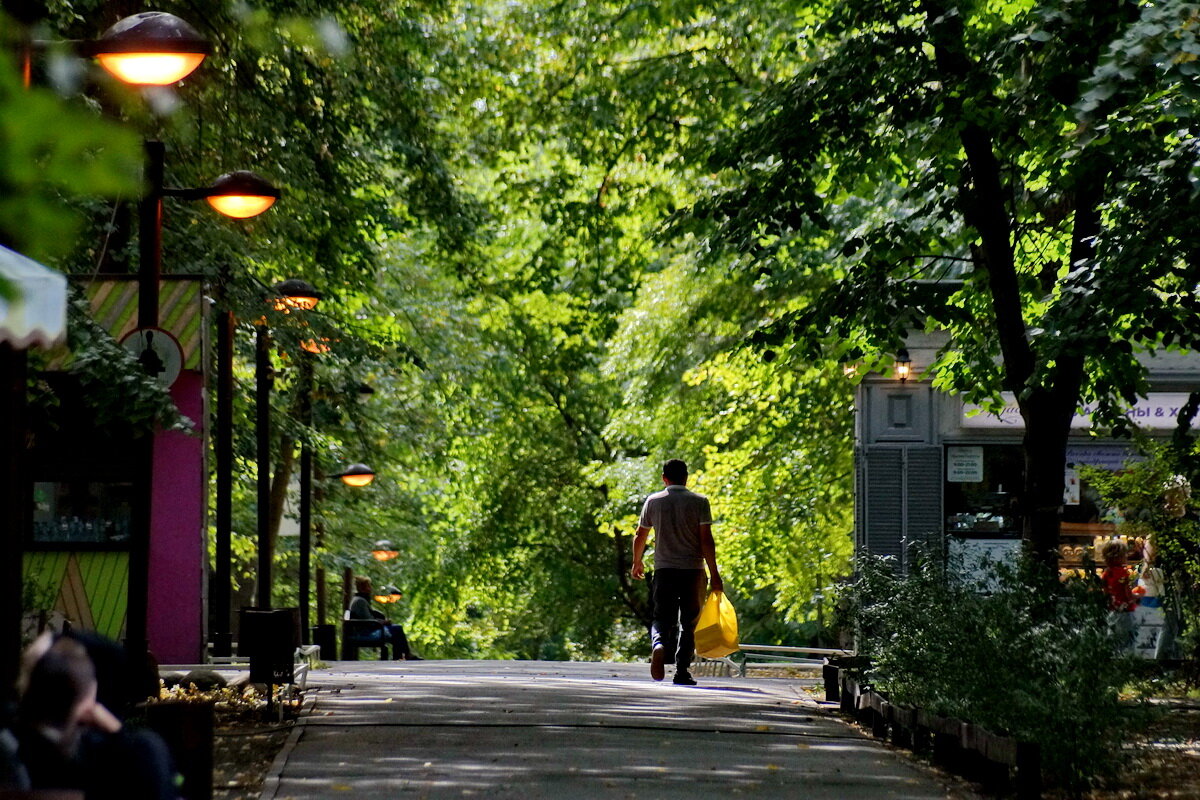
(478, 190)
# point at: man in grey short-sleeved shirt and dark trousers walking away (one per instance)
(683, 545)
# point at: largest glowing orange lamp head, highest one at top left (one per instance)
(152, 50)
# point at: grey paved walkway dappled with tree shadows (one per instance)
(568, 731)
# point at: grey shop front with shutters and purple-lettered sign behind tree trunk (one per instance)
(944, 473)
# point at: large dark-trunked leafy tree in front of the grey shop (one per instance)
(1041, 155)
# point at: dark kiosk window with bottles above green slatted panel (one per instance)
(82, 513)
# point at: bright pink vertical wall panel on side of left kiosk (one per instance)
(176, 624)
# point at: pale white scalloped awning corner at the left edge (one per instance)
(39, 314)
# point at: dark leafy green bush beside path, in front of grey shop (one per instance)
(1036, 664)
